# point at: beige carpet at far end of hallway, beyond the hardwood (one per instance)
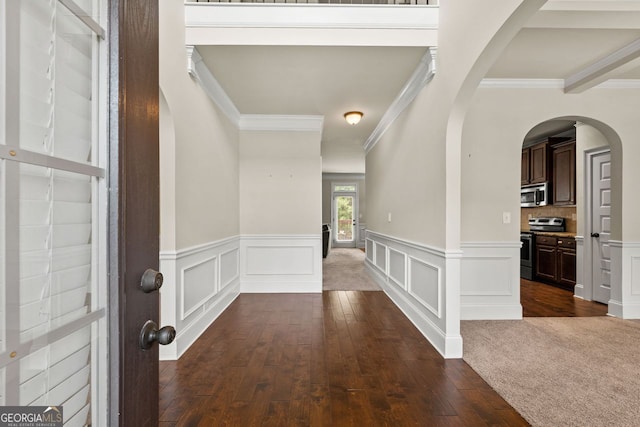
(343, 270)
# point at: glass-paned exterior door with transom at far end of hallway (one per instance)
(344, 208)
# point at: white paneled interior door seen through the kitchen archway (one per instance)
(601, 225)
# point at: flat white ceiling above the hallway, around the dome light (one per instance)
(317, 80)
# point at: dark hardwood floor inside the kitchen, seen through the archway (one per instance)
(542, 300)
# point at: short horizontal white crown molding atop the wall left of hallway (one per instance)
(274, 122)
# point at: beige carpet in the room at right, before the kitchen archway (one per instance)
(561, 371)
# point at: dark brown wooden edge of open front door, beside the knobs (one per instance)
(134, 207)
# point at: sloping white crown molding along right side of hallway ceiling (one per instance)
(423, 73)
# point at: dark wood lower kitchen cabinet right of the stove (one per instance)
(556, 260)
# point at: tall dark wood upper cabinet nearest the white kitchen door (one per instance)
(564, 173)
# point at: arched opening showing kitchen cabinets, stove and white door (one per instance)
(566, 233)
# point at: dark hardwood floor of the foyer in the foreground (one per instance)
(340, 358)
